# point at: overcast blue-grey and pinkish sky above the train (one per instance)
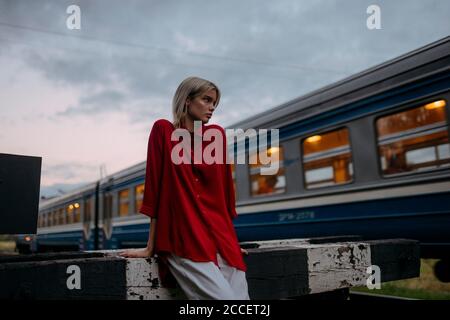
(83, 98)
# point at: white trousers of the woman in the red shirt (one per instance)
(206, 281)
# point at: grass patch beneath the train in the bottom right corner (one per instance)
(424, 287)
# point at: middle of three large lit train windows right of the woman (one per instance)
(327, 159)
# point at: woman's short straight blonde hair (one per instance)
(191, 87)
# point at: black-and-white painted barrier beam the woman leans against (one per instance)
(277, 269)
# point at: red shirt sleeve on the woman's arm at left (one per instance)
(153, 173)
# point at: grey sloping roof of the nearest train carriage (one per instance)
(284, 114)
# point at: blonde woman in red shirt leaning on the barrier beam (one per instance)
(192, 205)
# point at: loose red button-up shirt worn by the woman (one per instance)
(194, 203)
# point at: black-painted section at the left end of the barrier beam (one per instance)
(100, 278)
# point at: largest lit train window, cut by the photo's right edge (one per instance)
(414, 140)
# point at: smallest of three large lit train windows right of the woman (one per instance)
(267, 184)
